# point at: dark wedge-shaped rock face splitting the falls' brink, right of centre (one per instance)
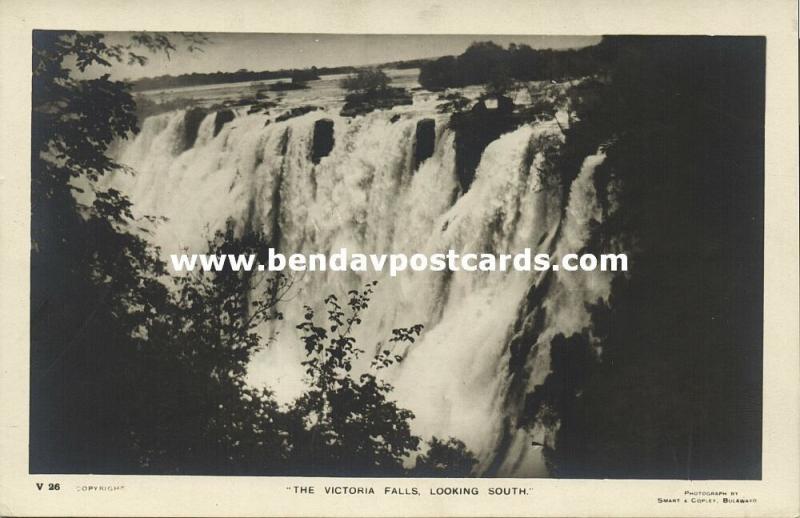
(485, 122)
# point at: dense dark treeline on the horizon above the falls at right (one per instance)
(485, 61)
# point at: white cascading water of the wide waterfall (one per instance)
(365, 197)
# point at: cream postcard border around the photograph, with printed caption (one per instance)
(777, 493)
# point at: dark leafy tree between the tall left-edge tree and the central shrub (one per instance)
(194, 412)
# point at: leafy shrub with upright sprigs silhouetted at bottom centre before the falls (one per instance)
(349, 421)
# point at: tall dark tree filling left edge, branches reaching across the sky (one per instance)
(93, 282)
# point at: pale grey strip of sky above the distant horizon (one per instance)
(229, 52)
